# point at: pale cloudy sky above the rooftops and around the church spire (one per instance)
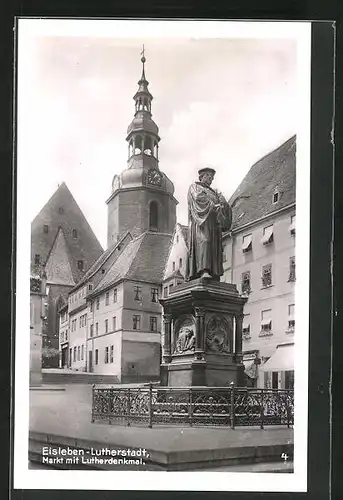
(219, 102)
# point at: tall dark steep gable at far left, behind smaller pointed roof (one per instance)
(84, 247)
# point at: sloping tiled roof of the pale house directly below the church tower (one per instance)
(143, 259)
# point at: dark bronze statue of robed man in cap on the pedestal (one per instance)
(209, 215)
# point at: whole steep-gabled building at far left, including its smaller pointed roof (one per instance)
(63, 246)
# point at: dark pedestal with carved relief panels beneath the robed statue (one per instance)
(202, 335)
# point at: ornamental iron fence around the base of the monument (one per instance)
(193, 406)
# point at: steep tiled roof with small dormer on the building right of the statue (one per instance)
(253, 199)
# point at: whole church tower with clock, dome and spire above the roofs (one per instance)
(142, 196)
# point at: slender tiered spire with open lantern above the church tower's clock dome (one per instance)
(142, 133)
